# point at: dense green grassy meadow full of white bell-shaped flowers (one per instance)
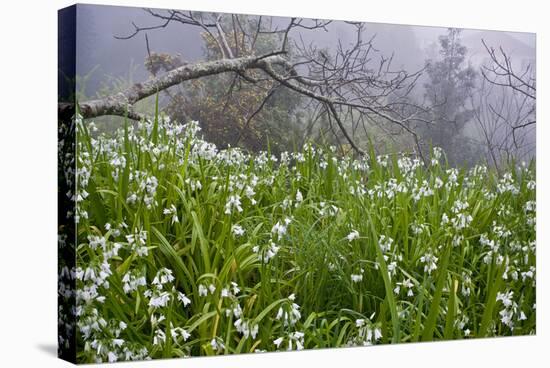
(187, 250)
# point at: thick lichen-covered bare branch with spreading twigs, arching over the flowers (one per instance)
(352, 84)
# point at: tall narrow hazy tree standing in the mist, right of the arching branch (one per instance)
(451, 81)
